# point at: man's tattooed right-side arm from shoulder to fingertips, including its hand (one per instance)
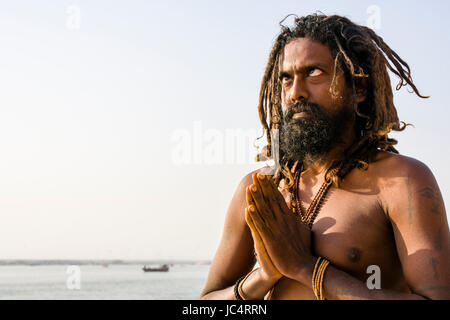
(414, 205)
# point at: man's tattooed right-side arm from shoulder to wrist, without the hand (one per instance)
(416, 210)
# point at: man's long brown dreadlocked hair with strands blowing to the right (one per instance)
(359, 53)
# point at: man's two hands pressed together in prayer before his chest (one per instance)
(282, 241)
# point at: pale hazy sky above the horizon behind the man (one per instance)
(99, 99)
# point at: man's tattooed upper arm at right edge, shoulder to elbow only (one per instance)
(421, 231)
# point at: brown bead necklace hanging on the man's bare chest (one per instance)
(311, 213)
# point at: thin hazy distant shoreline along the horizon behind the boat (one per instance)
(43, 262)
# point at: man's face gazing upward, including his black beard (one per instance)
(314, 120)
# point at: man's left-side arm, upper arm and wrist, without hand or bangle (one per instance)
(235, 255)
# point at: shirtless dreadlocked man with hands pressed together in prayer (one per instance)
(343, 201)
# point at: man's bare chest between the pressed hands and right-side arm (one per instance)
(352, 231)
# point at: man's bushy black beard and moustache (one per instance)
(313, 137)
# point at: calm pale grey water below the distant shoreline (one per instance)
(97, 282)
